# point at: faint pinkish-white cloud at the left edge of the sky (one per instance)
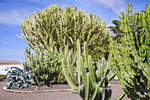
(12, 16)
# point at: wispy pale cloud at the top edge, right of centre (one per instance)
(115, 5)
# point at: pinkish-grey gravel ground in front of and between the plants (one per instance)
(62, 95)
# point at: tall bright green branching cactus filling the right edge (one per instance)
(131, 58)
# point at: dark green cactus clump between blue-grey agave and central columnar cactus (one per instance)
(44, 68)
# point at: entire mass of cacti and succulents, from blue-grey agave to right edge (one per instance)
(68, 46)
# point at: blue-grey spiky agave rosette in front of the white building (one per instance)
(17, 78)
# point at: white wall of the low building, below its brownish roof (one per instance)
(4, 68)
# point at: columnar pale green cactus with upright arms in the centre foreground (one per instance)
(90, 81)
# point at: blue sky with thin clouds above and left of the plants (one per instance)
(13, 12)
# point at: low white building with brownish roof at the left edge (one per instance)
(5, 65)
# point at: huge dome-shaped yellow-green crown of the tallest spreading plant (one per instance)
(57, 27)
